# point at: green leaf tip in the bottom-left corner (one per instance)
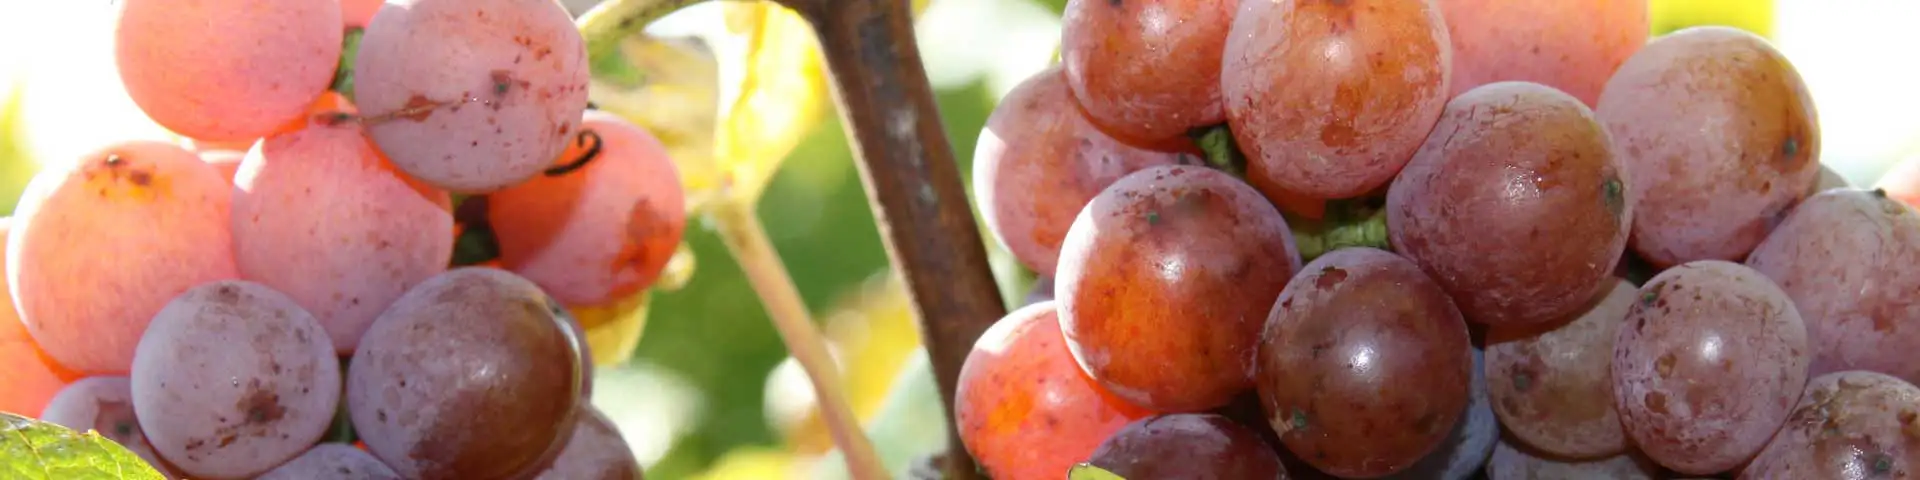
(34, 450)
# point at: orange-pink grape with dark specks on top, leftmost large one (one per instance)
(107, 241)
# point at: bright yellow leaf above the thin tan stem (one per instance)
(779, 101)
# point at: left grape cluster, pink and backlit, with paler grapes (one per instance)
(360, 264)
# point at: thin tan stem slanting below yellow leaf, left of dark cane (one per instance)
(750, 245)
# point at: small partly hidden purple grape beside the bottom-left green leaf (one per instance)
(105, 404)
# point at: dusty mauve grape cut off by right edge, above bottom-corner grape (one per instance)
(1848, 258)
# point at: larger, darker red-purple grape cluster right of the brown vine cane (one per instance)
(1435, 239)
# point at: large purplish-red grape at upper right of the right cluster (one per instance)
(1710, 187)
